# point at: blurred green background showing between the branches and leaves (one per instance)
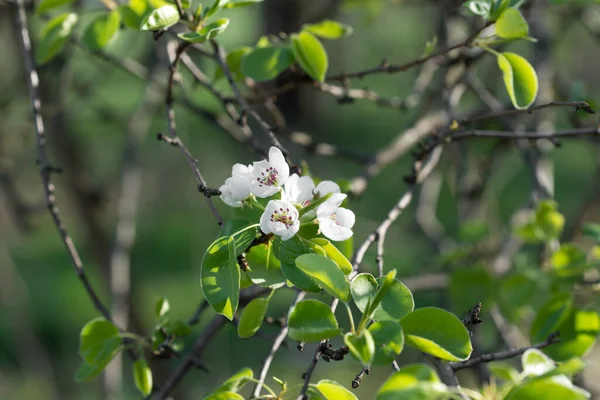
(88, 103)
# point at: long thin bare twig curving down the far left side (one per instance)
(46, 169)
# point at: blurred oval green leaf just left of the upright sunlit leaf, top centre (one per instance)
(266, 63)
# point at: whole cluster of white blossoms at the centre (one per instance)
(293, 194)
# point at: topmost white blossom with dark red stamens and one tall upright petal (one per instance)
(269, 176)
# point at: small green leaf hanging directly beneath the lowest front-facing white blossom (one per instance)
(265, 269)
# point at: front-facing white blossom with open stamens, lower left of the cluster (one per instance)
(281, 218)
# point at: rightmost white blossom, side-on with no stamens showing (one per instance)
(335, 222)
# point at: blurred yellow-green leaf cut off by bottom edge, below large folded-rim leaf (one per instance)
(414, 382)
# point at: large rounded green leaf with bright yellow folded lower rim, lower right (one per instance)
(437, 332)
